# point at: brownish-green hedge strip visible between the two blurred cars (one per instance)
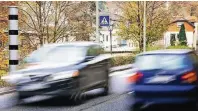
(122, 60)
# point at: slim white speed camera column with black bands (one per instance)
(13, 37)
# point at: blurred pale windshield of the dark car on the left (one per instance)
(57, 54)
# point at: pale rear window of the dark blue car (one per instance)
(147, 62)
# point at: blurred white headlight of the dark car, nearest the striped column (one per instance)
(12, 78)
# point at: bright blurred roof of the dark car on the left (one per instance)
(79, 43)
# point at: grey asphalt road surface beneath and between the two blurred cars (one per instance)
(118, 100)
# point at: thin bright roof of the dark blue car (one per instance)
(167, 51)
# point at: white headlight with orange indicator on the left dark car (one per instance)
(62, 75)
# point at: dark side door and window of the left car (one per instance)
(95, 74)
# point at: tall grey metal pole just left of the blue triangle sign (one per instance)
(97, 22)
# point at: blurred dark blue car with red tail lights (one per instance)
(165, 77)
